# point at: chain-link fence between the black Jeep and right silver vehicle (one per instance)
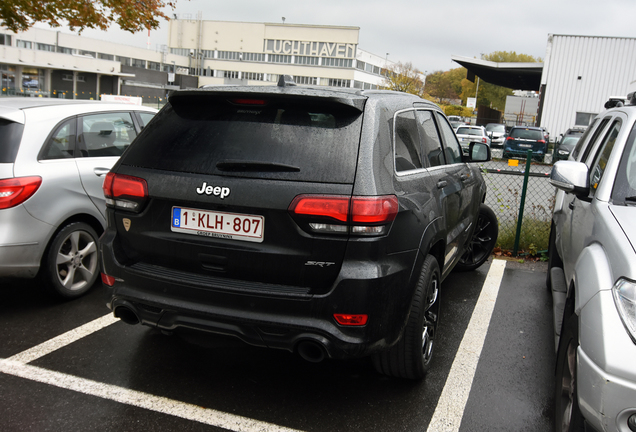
(505, 192)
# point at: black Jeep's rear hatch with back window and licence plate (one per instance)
(222, 169)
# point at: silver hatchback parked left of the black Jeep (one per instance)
(54, 154)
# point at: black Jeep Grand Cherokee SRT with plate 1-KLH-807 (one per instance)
(320, 221)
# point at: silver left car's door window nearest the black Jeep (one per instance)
(106, 134)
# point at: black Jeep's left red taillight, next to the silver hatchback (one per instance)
(125, 192)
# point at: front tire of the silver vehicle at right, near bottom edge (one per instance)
(567, 416)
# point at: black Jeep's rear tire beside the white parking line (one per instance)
(411, 357)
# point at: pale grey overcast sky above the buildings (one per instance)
(426, 33)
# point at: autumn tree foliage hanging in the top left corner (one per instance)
(130, 15)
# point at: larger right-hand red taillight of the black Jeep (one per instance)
(341, 214)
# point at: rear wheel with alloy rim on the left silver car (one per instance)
(71, 263)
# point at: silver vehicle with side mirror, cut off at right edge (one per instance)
(592, 276)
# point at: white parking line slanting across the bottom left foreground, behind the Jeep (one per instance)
(139, 399)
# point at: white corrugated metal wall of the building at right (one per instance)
(580, 73)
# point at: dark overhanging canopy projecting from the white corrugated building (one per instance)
(517, 76)
